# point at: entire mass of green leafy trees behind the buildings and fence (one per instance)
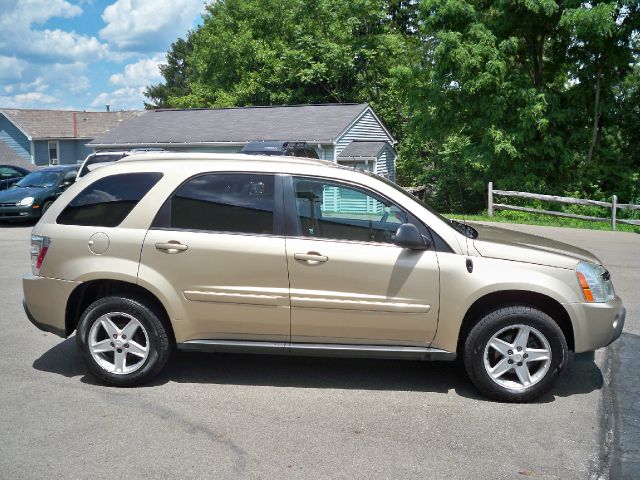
(535, 95)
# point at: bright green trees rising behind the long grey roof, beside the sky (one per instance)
(267, 52)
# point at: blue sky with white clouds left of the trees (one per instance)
(83, 54)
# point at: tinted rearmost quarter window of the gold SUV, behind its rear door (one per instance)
(107, 202)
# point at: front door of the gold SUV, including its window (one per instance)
(349, 282)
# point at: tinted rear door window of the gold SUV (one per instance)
(240, 203)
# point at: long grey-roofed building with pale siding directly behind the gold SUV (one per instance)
(349, 134)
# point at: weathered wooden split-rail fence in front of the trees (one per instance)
(613, 205)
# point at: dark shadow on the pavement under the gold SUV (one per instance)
(316, 372)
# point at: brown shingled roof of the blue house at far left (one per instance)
(59, 124)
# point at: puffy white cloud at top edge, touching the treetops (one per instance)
(148, 25)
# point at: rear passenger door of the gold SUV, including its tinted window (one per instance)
(215, 245)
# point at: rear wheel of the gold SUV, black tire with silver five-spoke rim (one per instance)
(153, 333)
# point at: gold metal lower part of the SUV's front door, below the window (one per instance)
(363, 293)
